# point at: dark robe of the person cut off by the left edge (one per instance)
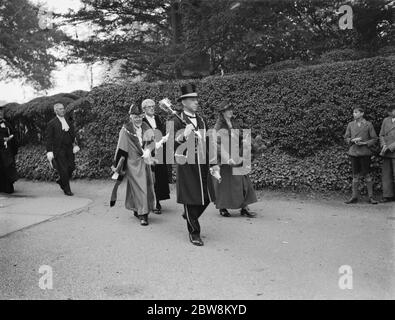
(8, 173)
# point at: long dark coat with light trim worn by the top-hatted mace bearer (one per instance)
(194, 184)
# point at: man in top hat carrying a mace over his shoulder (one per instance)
(194, 185)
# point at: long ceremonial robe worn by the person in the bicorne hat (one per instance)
(140, 194)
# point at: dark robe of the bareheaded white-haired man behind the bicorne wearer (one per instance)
(161, 171)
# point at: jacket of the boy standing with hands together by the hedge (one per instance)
(366, 132)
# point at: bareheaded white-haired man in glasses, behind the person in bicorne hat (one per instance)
(162, 191)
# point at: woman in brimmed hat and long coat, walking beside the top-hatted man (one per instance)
(233, 191)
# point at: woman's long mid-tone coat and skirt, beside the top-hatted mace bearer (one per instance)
(234, 191)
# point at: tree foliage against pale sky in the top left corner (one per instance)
(24, 46)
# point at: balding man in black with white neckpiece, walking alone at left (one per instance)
(61, 147)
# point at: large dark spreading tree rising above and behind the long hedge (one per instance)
(163, 39)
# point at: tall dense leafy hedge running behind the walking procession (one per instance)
(302, 111)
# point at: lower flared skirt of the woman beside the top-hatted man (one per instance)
(234, 192)
